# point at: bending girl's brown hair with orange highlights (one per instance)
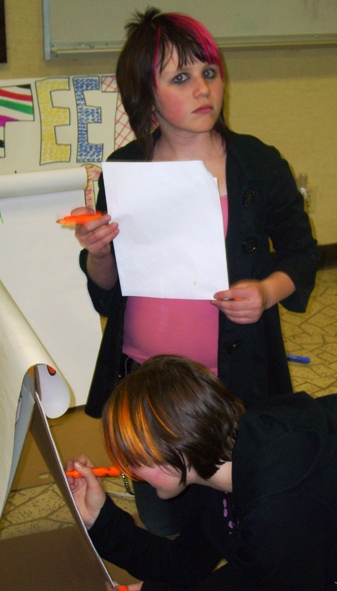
(171, 411)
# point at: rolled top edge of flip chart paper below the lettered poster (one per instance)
(45, 182)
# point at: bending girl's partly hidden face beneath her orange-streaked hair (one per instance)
(164, 479)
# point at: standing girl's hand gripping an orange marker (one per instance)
(96, 235)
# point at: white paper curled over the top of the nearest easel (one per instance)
(20, 350)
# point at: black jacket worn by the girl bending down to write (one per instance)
(278, 529)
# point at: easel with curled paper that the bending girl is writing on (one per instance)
(60, 559)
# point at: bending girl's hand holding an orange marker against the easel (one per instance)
(88, 492)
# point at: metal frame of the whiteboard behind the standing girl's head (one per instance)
(61, 50)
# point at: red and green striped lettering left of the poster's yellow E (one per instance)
(16, 104)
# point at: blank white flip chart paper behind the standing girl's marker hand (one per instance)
(39, 268)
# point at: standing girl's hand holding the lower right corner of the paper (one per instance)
(243, 303)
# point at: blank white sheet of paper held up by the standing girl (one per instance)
(171, 242)
